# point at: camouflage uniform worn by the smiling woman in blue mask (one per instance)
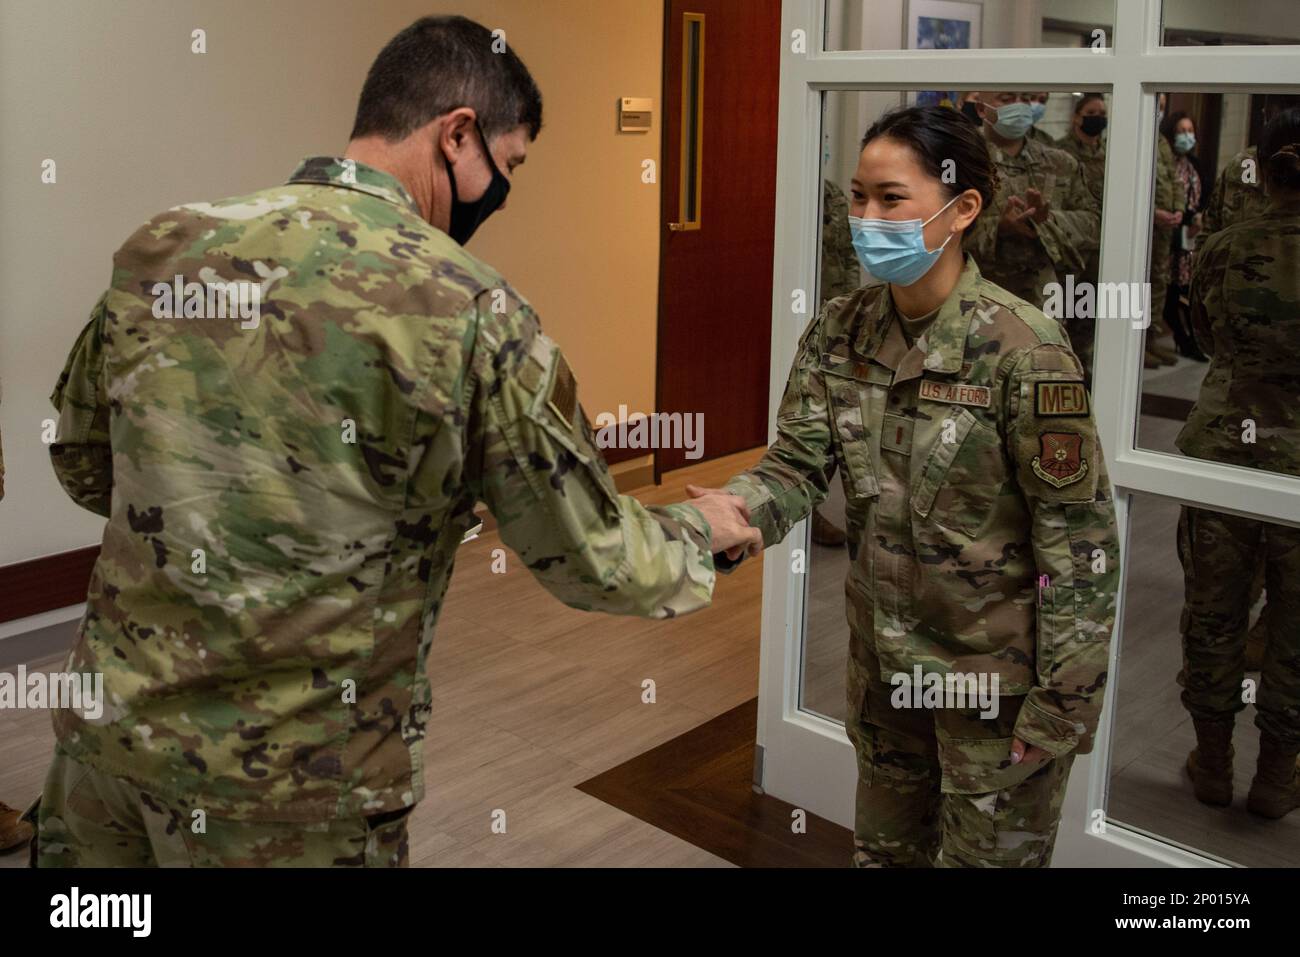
(972, 467)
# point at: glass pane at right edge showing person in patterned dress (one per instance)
(1223, 348)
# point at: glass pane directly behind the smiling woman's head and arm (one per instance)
(1067, 172)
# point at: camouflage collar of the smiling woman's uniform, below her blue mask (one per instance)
(946, 339)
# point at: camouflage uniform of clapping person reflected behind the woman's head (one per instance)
(1025, 267)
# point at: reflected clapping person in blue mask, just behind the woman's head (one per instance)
(1045, 220)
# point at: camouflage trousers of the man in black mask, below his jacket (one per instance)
(88, 819)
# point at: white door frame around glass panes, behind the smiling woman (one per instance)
(808, 760)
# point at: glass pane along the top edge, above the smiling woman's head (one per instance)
(964, 25)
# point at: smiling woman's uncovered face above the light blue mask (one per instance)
(892, 185)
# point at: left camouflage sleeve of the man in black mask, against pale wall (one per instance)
(81, 452)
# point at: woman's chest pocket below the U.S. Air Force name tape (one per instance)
(960, 480)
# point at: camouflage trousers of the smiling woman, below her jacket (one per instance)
(937, 787)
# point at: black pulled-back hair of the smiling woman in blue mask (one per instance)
(937, 135)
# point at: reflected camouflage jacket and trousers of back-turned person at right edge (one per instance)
(1246, 314)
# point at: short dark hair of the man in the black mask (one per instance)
(440, 64)
